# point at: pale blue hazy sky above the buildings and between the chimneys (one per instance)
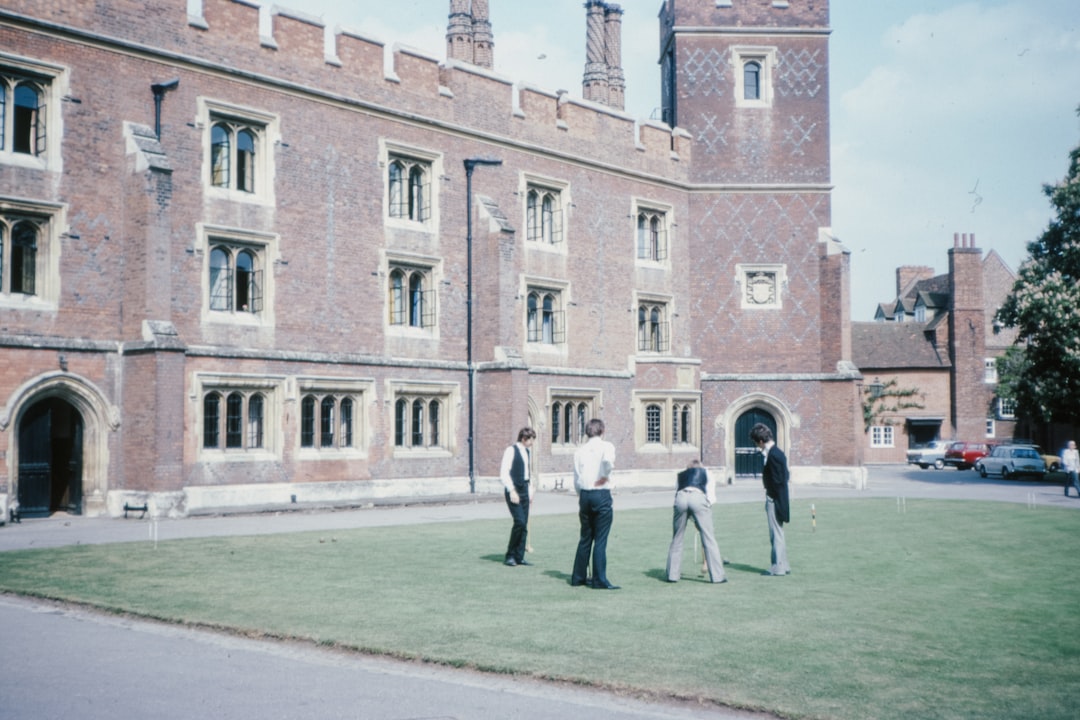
(948, 117)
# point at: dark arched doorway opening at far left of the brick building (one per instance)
(50, 459)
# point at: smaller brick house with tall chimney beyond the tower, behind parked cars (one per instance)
(939, 338)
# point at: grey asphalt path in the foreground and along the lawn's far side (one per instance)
(65, 662)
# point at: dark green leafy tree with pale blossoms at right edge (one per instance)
(1045, 307)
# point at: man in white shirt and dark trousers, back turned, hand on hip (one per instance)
(593, 464)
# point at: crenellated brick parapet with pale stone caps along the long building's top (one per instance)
(285, 47)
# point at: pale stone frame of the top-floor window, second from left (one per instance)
(266, 129)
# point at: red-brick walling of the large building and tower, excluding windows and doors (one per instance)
(134, 248)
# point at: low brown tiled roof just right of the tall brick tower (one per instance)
(895, 346)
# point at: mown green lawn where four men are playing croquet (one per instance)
(950, 610)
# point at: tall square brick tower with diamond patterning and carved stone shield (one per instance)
(748, 80)
